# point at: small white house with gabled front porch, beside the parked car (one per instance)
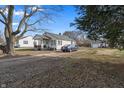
(51, 41)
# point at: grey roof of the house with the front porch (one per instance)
(52, 36)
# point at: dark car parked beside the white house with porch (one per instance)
(69, 48)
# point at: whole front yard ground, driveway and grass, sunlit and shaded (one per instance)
(86, 67)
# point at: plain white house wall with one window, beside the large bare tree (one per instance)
(26, 41)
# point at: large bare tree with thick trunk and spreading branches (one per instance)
(26, 22)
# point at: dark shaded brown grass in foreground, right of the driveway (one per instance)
(78, 73)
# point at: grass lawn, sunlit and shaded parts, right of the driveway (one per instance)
(85, 68)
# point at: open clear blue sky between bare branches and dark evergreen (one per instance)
(62, 22)
